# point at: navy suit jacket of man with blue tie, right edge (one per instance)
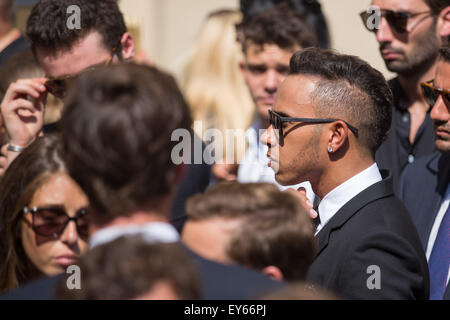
(422, 187)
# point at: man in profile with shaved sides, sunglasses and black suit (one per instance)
(331, 114)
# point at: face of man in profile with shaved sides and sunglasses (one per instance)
(295, 159)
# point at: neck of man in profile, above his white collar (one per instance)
(337, 173)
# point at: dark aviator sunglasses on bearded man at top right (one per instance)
(398, 20)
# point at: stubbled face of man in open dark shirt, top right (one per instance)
(413, 51)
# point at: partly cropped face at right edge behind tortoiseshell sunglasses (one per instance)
(440, 114)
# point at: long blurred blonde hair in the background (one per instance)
(212, 81)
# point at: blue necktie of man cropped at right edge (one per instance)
(440, 259)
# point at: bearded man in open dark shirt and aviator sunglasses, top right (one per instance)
(409, 33)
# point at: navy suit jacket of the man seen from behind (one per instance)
(218, 282)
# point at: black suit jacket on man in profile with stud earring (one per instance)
(372, 229)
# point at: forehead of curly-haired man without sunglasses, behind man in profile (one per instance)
(268, 53)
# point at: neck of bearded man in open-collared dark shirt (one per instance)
(410, 83)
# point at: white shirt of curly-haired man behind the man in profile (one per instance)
(254, 166)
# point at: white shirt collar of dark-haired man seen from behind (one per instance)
(151, 232)
